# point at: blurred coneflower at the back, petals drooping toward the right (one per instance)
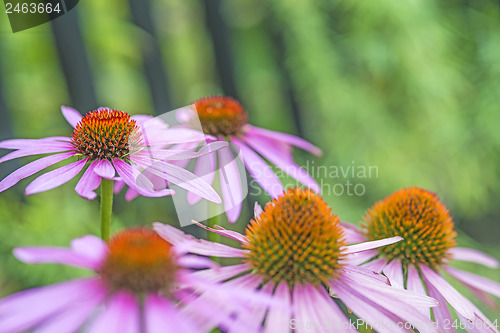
(226, 120)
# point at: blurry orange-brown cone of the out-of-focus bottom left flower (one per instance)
(139, 261)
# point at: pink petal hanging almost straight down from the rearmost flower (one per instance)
(230, 183)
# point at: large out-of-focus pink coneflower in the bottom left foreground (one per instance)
(141, 285)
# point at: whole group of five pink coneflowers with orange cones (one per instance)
(297, 265)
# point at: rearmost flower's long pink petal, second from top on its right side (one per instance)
(282, 158)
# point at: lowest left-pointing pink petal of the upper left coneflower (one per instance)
(55, 178)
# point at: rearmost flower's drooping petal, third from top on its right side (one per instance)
(260, 170)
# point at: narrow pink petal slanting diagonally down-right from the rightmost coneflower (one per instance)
(456, 300)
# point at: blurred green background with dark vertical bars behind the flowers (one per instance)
(411, 88)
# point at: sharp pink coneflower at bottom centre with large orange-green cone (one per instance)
(295, 251)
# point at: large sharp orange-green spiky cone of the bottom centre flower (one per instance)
(296, 239)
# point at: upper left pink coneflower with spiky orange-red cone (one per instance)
(108, 142)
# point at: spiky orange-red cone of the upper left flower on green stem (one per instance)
(106, 134)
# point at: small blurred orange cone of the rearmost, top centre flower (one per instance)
(220, 116)
